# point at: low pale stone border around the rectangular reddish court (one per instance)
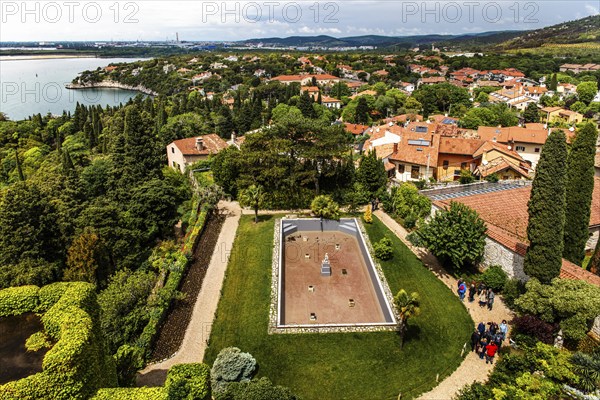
(274, 329)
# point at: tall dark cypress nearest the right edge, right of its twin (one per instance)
(580, 185)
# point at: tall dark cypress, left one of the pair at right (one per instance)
(547, 211)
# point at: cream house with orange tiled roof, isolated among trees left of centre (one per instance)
(185, 152)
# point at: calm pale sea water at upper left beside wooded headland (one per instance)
(38, 86)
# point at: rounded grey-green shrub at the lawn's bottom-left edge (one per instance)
(231, 365)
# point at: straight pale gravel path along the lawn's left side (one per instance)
(198, 331)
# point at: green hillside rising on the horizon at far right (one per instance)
(579, 31)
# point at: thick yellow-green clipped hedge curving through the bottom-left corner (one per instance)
(77, 365)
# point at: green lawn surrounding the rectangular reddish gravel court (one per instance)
(345, 365)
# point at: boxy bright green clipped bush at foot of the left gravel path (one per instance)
(188, 382)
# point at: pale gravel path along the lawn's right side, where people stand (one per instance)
(472, 368)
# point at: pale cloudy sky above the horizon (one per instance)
(195, 20)
